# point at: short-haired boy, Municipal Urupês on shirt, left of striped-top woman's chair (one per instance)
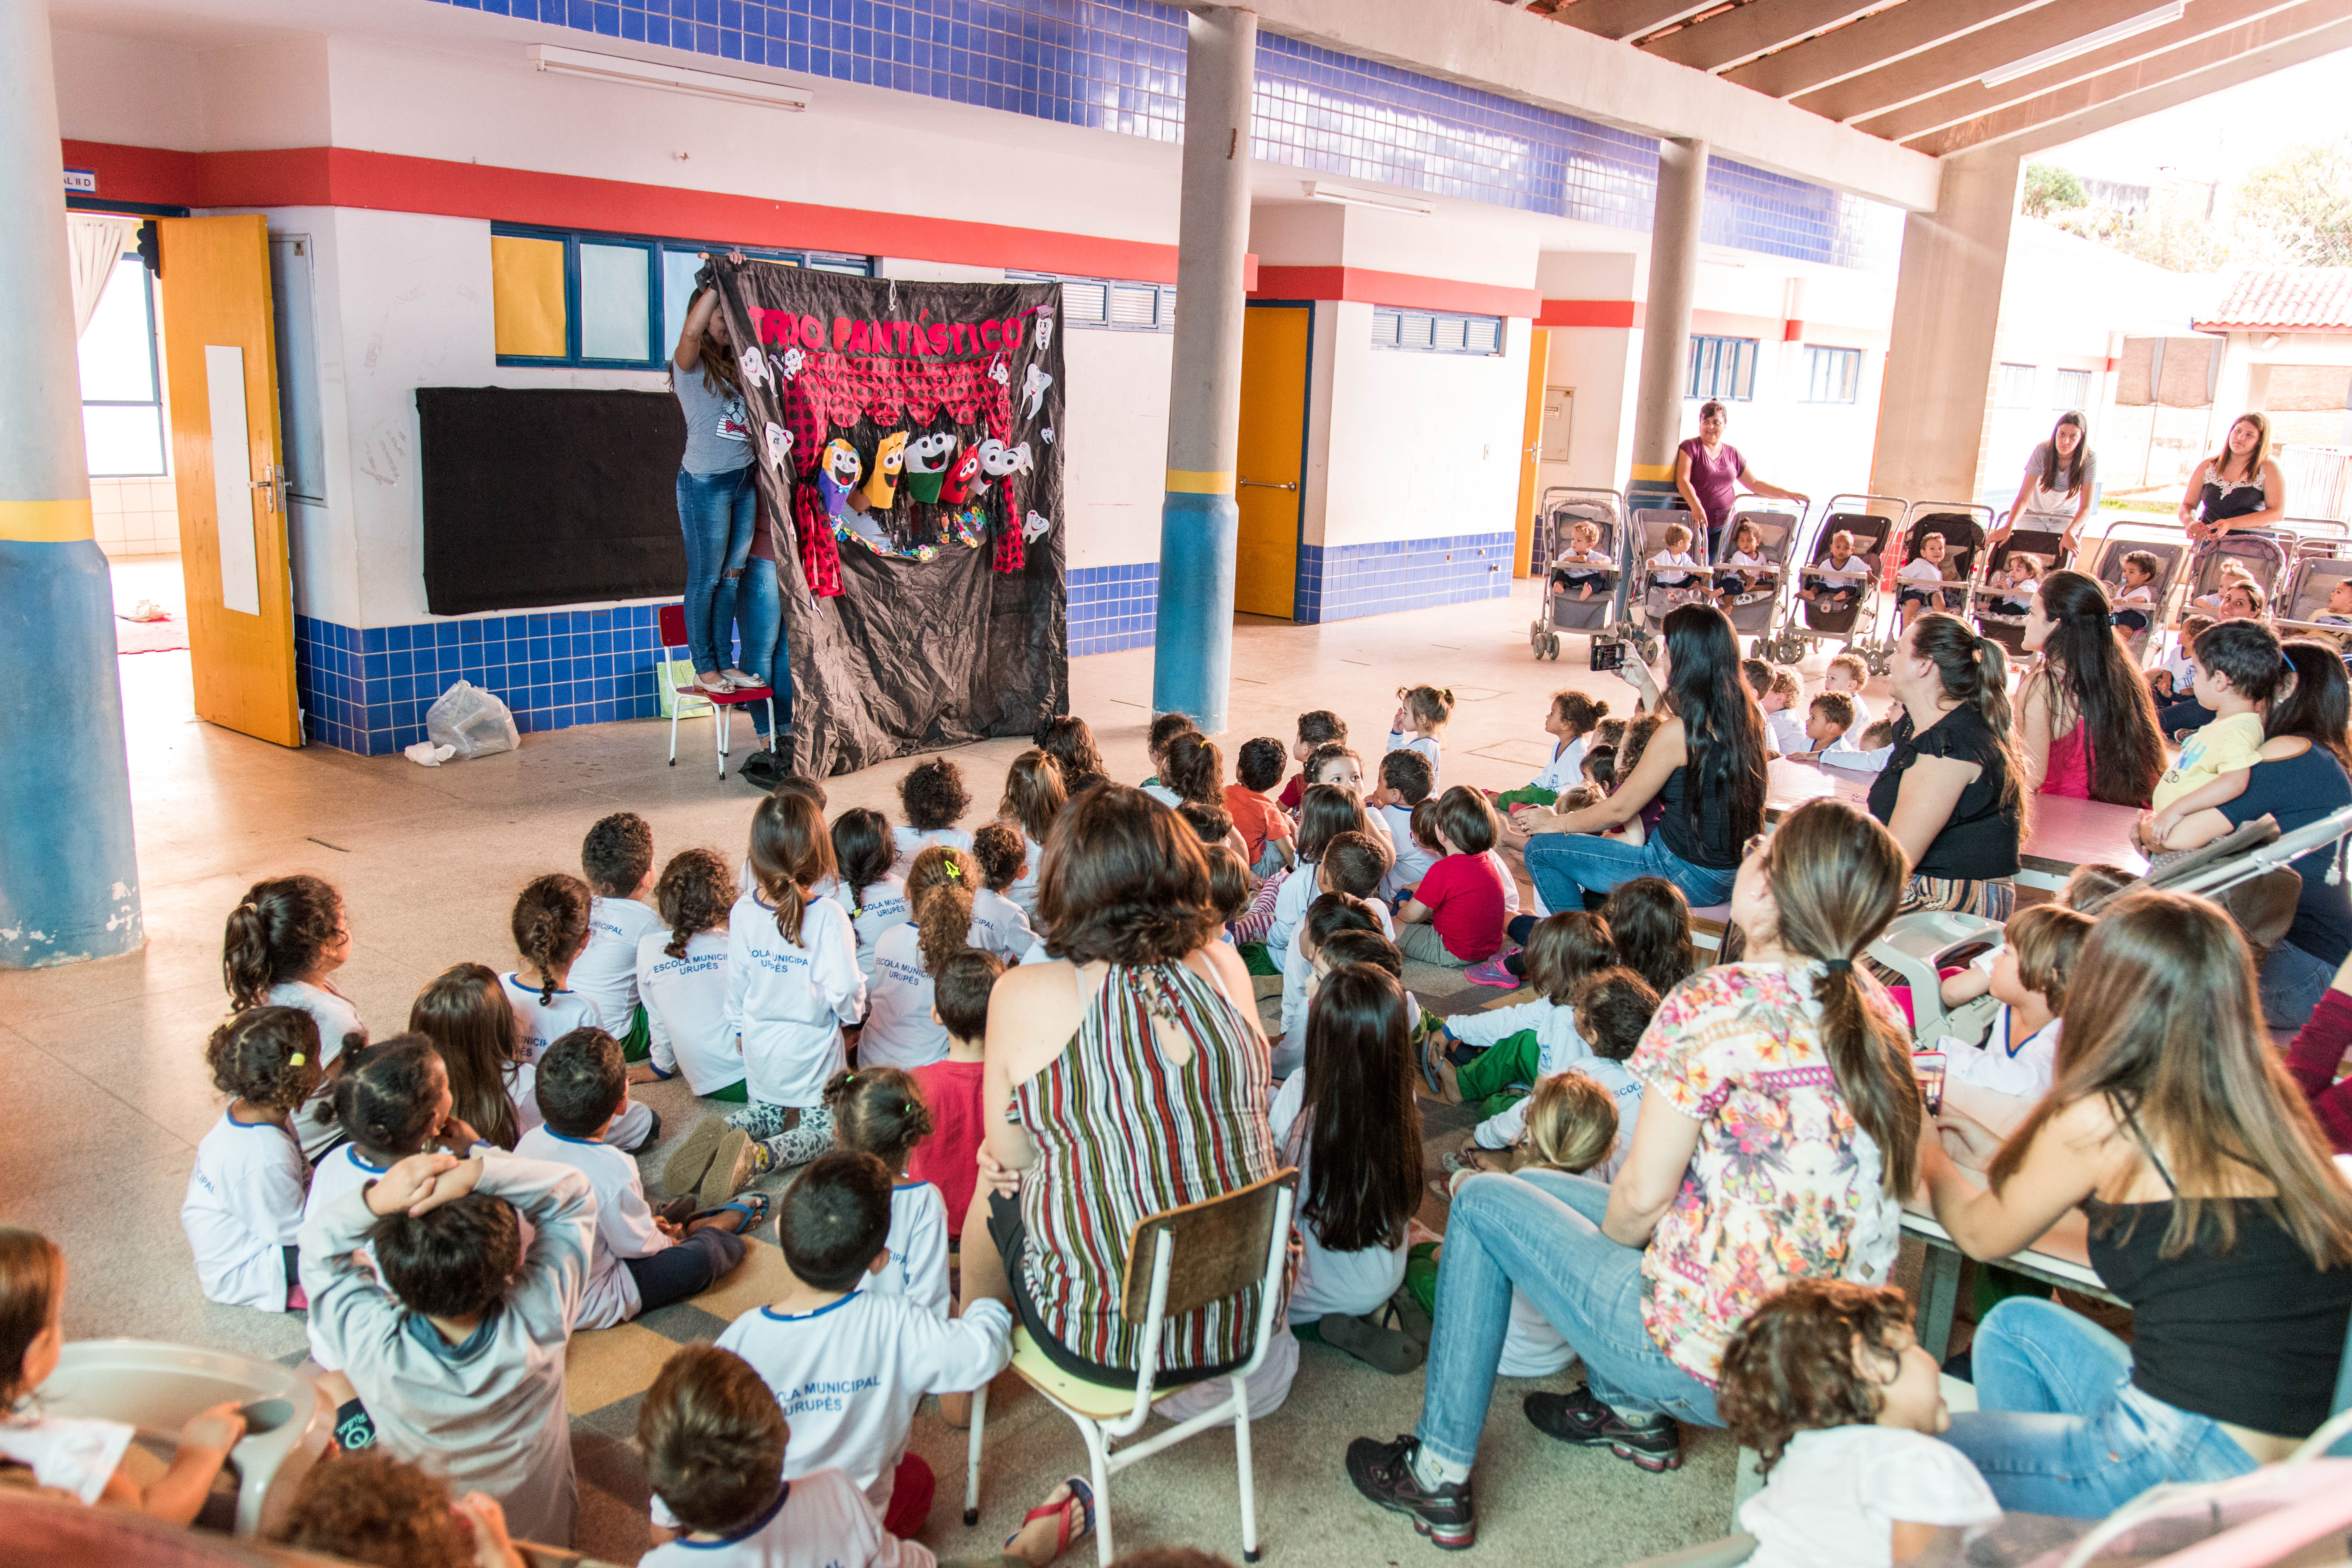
(848, 1365)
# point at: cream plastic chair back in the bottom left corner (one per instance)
(159, 1388)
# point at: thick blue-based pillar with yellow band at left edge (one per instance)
(69, 885)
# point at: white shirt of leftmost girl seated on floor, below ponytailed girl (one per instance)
(243, 1209)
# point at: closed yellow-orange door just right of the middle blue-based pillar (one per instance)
(1269, 485)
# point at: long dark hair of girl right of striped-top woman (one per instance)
(1363, 1130)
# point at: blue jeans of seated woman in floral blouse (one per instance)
(1542, 1231)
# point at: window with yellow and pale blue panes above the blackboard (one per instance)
(613, 302)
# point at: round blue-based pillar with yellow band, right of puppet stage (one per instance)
(1201, 521)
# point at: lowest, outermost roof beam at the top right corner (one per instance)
(2156, 83)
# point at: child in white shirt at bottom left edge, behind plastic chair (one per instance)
(83, 1456)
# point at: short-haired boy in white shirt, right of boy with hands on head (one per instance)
(636, 1261)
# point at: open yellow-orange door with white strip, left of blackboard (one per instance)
(229, 474)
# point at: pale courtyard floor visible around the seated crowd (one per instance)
(112, 1097)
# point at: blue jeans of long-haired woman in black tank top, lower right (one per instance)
(2062, 1428)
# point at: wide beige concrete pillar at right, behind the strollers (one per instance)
(1949, 316)
